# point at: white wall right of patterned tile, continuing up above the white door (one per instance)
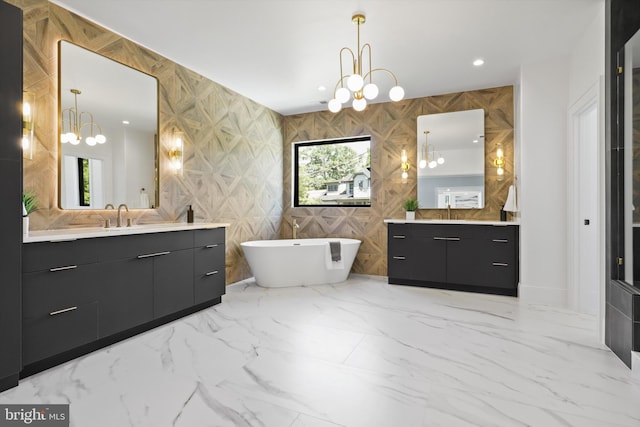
(543, 96)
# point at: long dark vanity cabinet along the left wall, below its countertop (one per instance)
(83, 294)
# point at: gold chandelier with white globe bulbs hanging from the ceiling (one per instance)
(360, 84)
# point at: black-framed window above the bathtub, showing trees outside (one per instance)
(334, 172)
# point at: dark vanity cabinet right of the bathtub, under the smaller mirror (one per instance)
(467, 257)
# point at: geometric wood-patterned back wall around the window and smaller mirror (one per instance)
(392, 127)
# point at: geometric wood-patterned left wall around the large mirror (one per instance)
(233, 146)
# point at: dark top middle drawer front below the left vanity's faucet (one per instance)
(120, 247)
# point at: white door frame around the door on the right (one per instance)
(594, 96)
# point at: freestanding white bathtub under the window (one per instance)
(281, 263)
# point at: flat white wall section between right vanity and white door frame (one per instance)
(544, 96)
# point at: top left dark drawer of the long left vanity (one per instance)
(46, 255)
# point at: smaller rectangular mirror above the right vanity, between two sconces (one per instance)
(451, 160)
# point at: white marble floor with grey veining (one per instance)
(359, 353)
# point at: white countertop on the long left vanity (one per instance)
(90, 232)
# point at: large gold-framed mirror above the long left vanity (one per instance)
(108, 132)
